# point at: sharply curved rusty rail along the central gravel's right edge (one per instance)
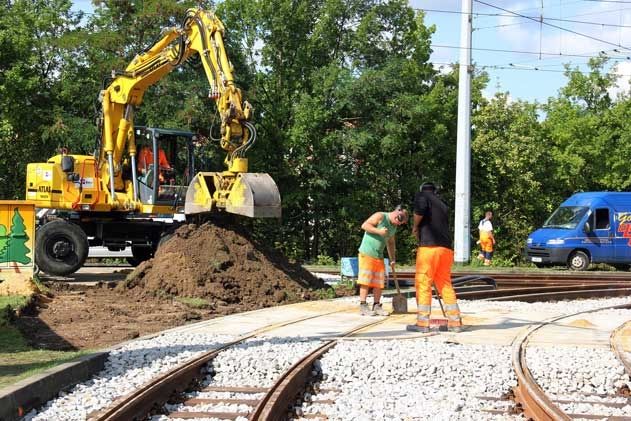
(534, 401)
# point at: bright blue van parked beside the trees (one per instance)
(593, 227)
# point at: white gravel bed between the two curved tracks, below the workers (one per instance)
(412, 380)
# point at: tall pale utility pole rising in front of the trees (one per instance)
(462, 245)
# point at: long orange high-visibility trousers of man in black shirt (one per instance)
(433, 265)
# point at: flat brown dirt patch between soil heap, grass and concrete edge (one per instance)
(92, 317)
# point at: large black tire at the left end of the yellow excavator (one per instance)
(61, 247)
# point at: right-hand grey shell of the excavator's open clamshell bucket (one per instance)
(255, 195)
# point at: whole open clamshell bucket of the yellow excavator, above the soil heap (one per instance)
(252, 194)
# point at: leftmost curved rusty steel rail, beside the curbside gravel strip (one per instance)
(138, 403)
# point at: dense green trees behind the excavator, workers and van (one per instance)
(350, 114)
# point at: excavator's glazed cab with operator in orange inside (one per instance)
(165, 165)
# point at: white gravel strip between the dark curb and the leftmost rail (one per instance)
(127, 368)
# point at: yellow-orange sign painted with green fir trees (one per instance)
(17, 240)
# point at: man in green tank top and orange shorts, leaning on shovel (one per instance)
(380, 230)
